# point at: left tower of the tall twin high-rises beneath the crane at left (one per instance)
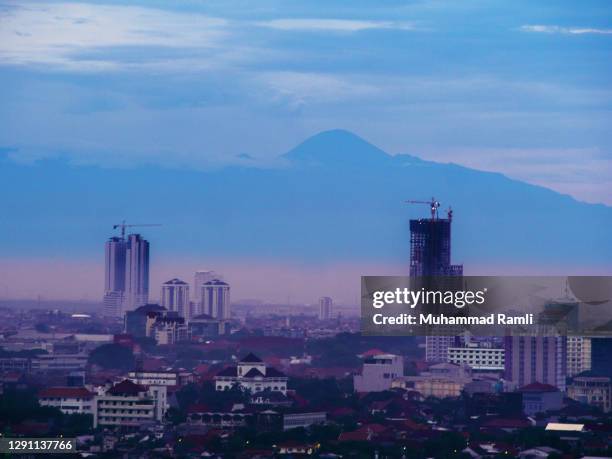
(114, 276)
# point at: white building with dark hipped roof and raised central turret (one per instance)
(253, 375)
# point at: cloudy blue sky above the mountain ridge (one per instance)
(520, 87)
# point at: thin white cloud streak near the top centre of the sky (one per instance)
(333, 25)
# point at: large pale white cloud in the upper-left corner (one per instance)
(68, 34)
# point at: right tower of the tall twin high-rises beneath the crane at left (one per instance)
(136, 271)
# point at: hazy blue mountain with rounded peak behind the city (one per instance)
(336, 197)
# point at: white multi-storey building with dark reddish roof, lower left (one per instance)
(129, 405)
